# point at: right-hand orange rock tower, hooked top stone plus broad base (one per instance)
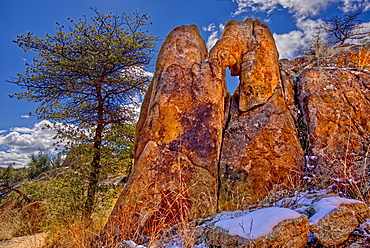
(260, 146)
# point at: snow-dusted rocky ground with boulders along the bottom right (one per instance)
(307, 219)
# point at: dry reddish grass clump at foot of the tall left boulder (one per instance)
(169, 221)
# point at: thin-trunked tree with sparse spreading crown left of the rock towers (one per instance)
(88, 77)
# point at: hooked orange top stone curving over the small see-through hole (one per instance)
(259, 67)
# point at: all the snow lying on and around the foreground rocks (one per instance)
(258, 223)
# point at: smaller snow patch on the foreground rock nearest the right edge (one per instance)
(326, 205)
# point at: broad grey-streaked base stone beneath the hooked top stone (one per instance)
(260, 149)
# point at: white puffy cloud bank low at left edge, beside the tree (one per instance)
(20, 142)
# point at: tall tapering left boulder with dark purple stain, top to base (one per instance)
(178, 141)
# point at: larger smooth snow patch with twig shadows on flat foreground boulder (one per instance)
(258, 223)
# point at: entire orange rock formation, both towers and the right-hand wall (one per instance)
(199, 150)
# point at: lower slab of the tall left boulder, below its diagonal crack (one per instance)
(165, 188)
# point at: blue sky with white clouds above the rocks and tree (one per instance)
(291, 21)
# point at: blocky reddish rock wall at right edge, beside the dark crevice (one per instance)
(336, 110)
